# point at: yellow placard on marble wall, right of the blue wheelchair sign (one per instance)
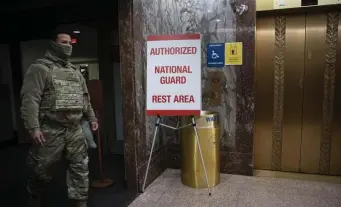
(234, 53)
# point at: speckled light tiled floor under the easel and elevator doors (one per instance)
(240, 191)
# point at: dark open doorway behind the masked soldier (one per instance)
(26, 39)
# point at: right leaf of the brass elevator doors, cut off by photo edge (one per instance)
(321, 134)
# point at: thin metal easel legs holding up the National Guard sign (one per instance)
(157, 125)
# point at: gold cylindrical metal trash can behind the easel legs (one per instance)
(192, 171)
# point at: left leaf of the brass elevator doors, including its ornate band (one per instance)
(279, 92)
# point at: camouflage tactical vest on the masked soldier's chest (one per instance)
(63, 90)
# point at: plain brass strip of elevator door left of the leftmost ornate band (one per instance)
(265, 36)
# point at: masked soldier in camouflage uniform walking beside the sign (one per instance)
(54, 99)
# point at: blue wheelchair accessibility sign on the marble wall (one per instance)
(216, 55)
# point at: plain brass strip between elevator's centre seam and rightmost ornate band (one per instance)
(313, 92)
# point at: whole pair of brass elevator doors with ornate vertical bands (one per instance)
(298, 93)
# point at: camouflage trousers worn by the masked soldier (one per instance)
(66, 142)
